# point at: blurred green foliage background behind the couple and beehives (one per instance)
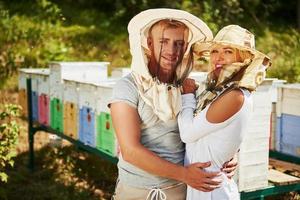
(77, 30)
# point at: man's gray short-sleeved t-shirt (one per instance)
(159, 137)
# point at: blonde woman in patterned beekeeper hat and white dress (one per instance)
(213, 124)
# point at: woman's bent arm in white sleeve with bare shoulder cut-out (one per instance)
(219, 114)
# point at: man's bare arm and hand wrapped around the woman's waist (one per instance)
(126, 123)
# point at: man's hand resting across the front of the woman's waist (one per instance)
(201, 180)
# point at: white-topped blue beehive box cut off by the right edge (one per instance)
(288, 119)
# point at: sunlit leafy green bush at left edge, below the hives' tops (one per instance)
(9, 130)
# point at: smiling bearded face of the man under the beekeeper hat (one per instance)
(168, 45)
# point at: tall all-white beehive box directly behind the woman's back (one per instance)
(254, 151)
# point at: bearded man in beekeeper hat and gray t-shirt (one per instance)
(145, 105)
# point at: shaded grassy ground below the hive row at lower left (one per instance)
(60, 173)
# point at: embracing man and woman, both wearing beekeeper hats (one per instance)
(175, 144)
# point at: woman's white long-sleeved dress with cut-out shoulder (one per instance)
(215, 142)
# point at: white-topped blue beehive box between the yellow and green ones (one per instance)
(87, 107)
